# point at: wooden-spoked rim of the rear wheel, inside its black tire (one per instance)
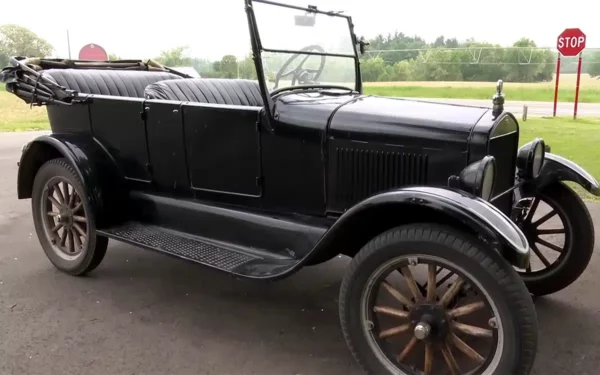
(65, 218)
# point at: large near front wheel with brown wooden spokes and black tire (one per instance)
(426, 299)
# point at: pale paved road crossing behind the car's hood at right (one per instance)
(534, 109)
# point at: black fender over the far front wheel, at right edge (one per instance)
(557, 168)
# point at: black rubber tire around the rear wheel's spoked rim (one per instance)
(93, 248)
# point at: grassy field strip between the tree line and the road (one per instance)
(589, 95)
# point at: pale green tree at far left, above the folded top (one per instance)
(16, 40)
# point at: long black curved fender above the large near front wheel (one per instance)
(463, 209)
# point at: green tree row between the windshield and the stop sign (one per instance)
(449, 60)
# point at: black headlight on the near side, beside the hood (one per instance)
(479, 177)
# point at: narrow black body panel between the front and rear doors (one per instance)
(166, 146)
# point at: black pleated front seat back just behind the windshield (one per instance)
(208, 90)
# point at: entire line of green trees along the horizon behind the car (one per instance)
(405, 58)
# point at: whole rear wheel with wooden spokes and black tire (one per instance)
(64, 221)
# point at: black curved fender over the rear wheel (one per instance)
(103, 184)
